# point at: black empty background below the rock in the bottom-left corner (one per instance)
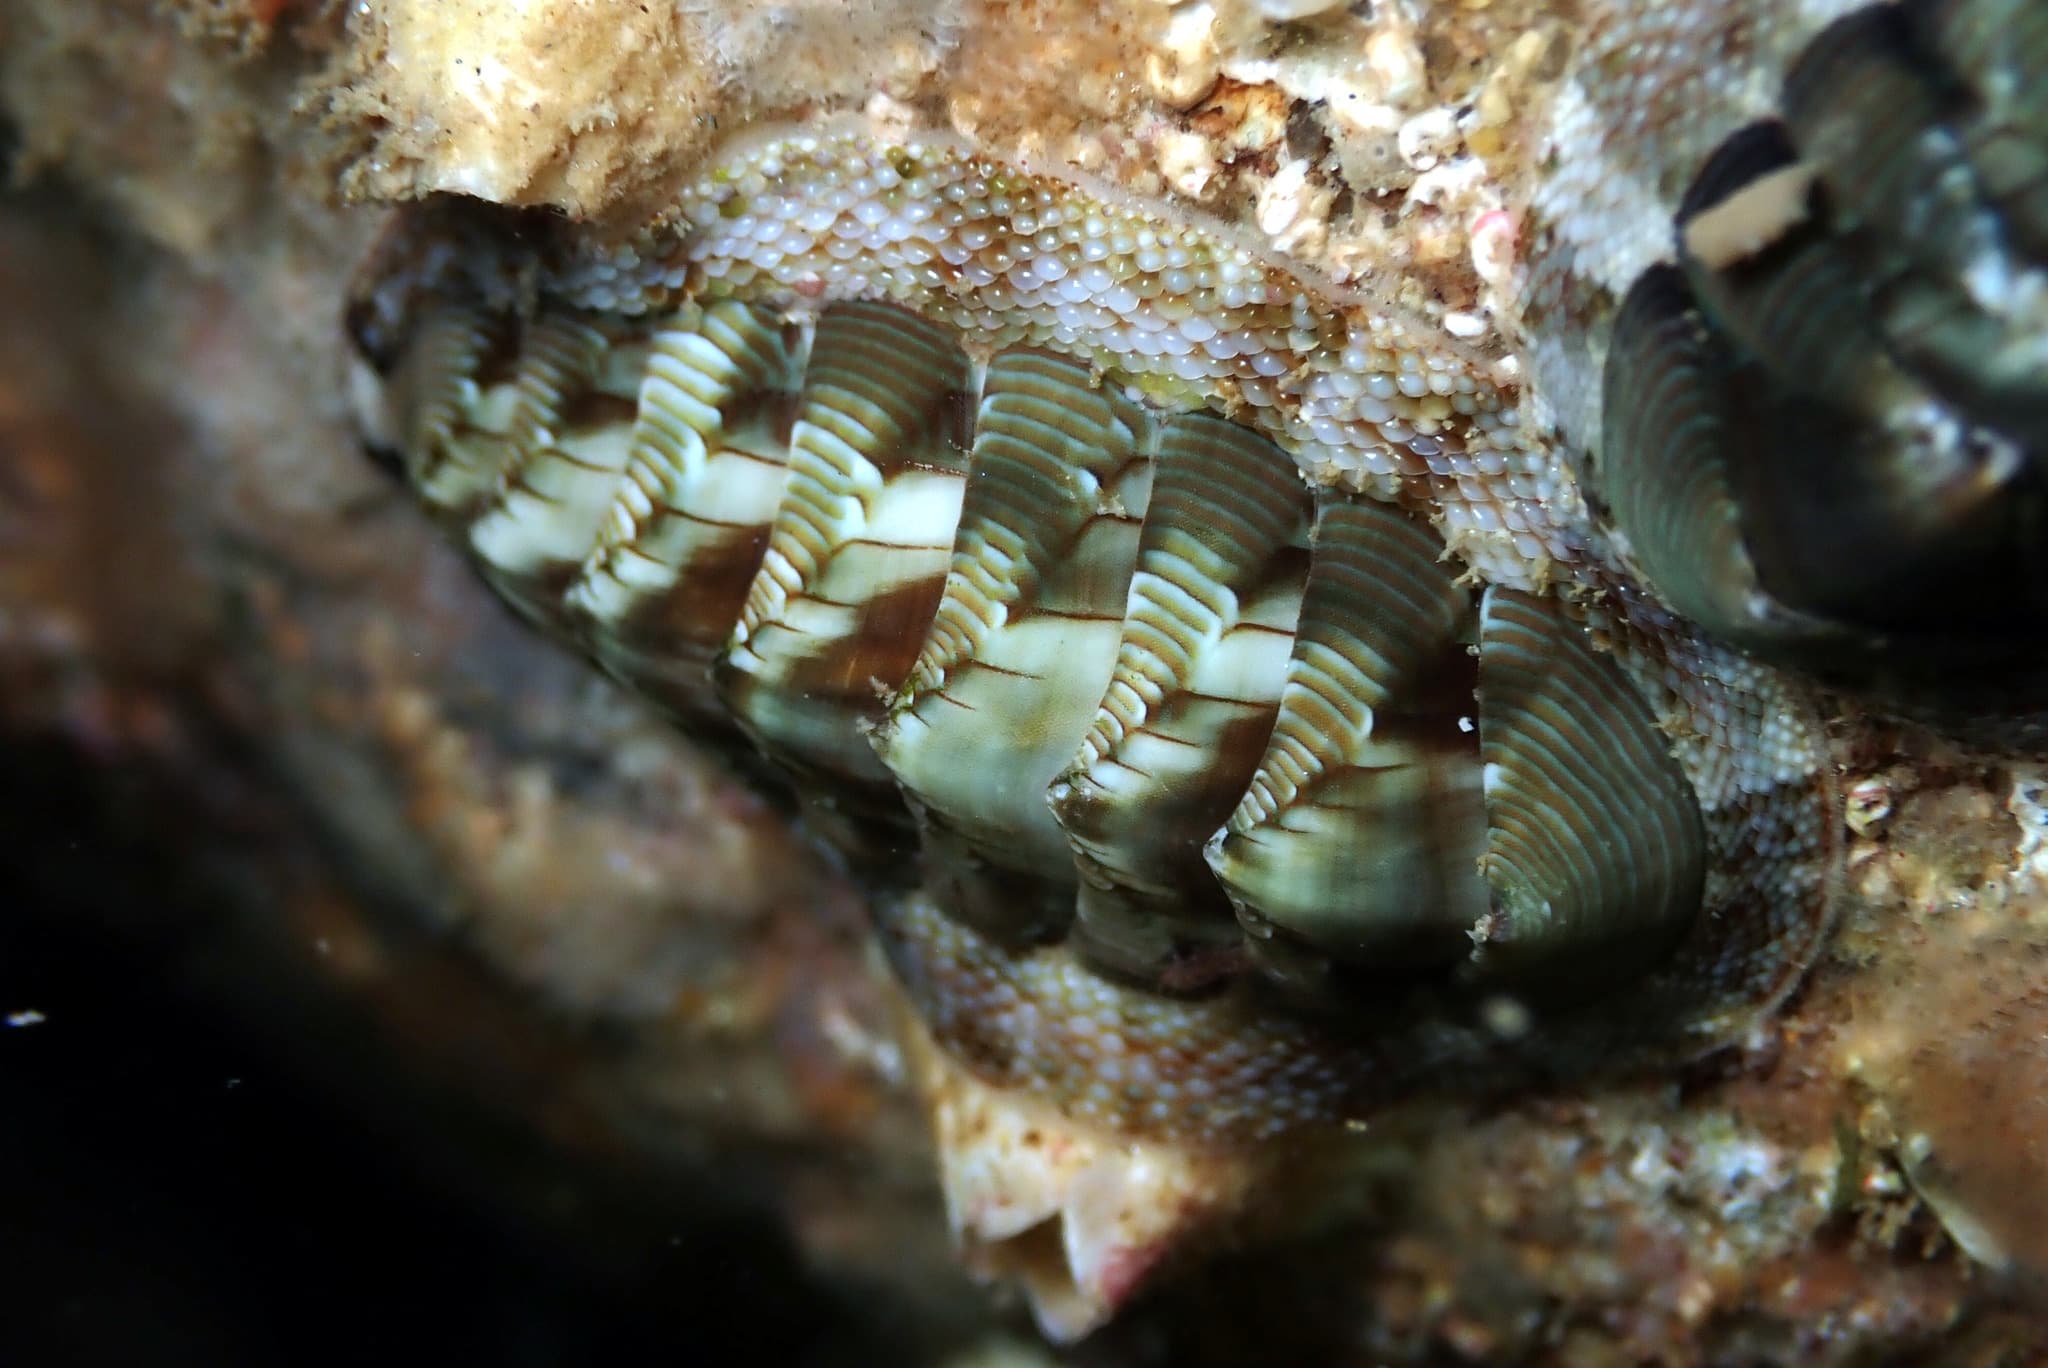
(206, 1168)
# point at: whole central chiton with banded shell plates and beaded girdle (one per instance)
(1236, 710)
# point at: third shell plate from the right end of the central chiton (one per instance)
(1195, 689)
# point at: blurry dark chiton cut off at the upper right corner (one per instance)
(1822, 417)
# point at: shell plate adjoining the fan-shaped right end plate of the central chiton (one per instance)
(1363, 826)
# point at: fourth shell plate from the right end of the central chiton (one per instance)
(1025, 638)
